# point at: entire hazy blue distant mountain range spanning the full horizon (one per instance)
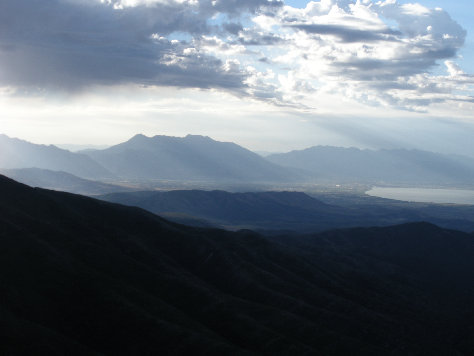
(200, 159)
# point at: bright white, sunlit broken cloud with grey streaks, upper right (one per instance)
(377, 52)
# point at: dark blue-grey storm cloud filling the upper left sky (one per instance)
(65, 44)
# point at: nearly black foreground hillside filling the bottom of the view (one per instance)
(81, 276)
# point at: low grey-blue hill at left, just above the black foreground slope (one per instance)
(44, 178)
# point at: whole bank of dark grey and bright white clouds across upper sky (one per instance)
(374, 52)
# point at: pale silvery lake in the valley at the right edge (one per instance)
(424, 195)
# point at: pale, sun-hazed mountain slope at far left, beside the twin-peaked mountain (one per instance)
(16, 153)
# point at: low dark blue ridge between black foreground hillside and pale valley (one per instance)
(278, 211)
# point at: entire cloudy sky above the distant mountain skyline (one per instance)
(267, 74)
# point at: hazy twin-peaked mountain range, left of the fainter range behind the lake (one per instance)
(192, 158)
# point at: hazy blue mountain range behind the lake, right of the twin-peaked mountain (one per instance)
(337, 164)
